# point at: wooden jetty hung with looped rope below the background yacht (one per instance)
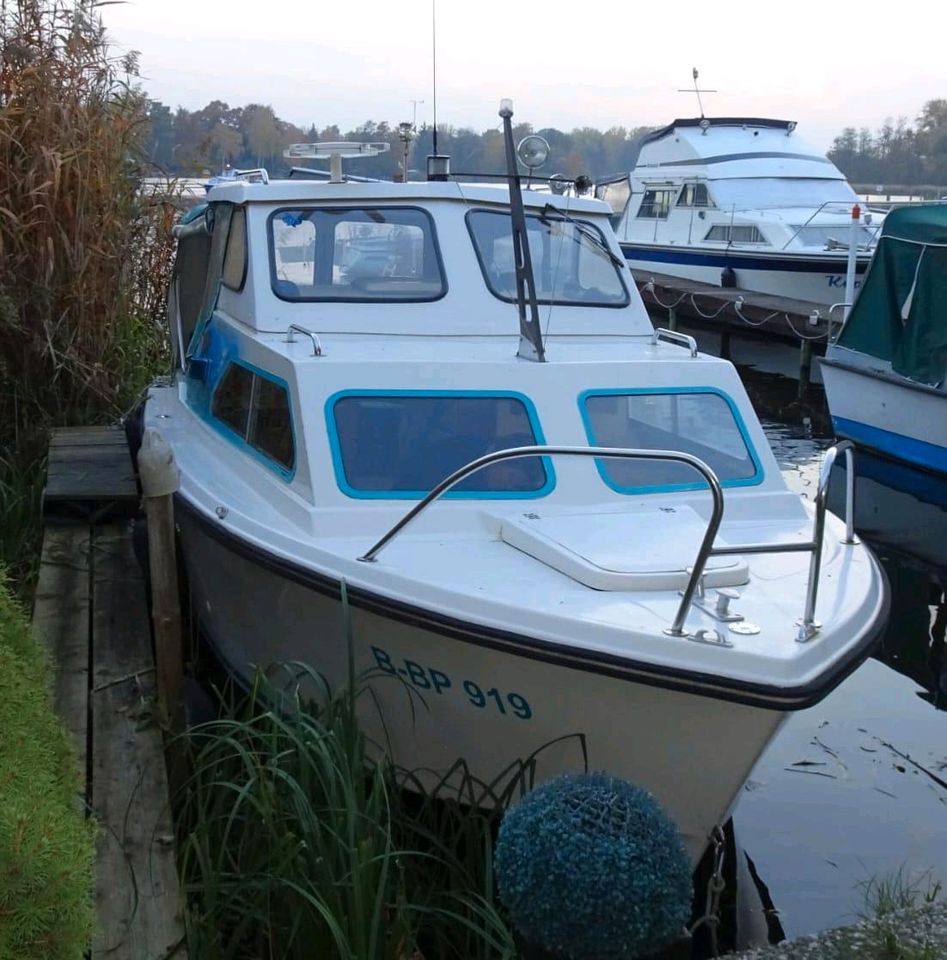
(735, 310)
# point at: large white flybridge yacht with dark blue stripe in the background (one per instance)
(740, 202)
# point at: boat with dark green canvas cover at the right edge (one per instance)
(886, 372)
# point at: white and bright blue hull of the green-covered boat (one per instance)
(901, 419)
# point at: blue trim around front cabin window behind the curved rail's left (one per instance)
(357, 494)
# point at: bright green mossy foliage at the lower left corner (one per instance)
(46, 842)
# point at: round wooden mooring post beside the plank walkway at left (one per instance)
(159, 480)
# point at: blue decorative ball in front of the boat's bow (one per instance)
(590, 866)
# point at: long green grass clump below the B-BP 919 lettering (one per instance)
(298, 842)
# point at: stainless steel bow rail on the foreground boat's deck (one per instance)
(808, 625)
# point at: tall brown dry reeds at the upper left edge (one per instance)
(84, 255)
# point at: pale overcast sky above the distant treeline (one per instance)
(825, 65)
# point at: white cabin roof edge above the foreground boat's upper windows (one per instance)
(383, 191)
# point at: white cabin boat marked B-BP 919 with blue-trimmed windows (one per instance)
(563, 535)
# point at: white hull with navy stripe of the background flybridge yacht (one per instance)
(813, 279)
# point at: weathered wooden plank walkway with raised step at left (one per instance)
(91, 610)
